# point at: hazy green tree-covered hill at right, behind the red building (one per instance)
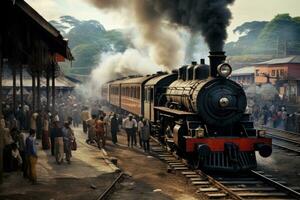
(278, 38)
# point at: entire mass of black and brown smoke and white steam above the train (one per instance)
(158, 24)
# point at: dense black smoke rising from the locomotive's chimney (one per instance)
(210, 17)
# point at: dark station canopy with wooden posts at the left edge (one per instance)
(31, 48)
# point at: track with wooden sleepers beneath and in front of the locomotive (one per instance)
(251, 185)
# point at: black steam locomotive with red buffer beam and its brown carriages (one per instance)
(197, 111)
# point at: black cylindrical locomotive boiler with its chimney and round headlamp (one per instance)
(217, 100)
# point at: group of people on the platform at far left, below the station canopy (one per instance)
(20, 128)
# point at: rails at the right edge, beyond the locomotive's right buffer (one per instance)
(284, 139)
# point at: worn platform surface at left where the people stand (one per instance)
(88, 175)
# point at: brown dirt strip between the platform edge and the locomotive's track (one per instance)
(150, 179)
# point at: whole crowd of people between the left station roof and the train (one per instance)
(55, 131)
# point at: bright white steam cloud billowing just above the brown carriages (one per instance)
(115, 65)
